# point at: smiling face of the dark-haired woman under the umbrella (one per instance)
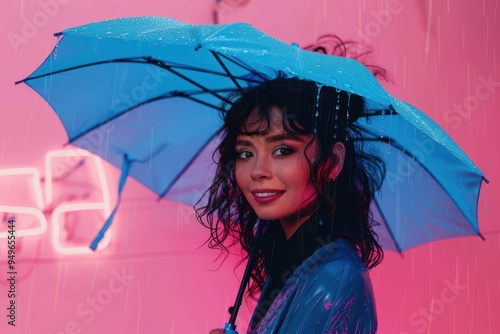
(272, 170)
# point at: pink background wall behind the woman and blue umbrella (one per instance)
(154, 277)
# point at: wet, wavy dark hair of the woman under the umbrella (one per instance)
(344, 205)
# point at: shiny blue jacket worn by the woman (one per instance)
(330, 292)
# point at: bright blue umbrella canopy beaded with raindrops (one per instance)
(145, 94)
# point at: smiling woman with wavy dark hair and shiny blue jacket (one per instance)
(291, 168)
